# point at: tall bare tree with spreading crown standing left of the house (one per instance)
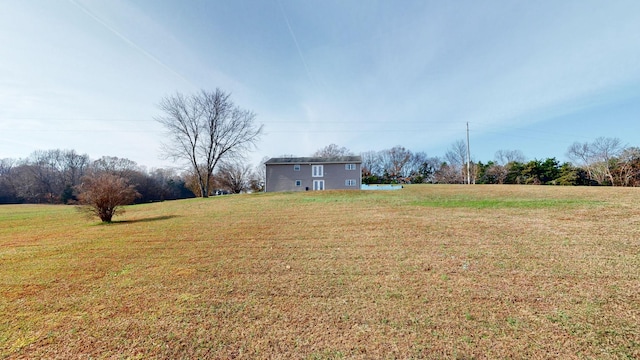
(205, 128)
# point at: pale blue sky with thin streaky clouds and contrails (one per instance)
(534, 76)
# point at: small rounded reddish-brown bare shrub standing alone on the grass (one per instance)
(104, 194)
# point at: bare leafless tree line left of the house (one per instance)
(55, 177)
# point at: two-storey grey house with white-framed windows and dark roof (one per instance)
(313, 173)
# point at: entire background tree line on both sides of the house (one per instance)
(54, 176)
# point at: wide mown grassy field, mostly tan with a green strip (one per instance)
(456, 272)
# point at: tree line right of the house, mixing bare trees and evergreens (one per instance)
(604, 161)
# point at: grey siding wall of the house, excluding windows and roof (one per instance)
(282, 177)
